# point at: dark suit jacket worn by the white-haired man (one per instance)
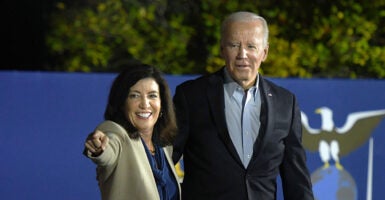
(213, 169)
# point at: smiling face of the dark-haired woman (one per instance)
(143, 105)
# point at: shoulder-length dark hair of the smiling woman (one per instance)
(165, 128)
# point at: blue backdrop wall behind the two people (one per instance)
(45, 117)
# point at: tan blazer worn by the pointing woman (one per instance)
(123, 170)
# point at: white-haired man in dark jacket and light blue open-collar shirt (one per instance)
(238, 131)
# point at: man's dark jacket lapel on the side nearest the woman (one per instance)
(215, 96)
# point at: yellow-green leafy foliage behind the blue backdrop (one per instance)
(307, 38)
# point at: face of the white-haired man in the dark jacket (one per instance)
(243, 51)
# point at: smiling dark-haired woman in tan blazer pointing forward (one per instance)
(132, 148)
